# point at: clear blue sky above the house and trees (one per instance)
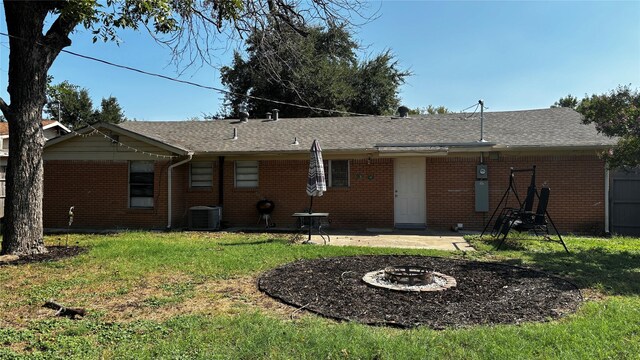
(513, 55)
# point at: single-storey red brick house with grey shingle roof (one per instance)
(382, 172)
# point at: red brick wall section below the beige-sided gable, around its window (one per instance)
(99, 191)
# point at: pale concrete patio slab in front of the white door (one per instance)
(398, 238)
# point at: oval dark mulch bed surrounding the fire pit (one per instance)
(486, 293)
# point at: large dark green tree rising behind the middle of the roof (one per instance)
(318, 70)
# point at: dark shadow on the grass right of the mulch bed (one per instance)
(605, 268)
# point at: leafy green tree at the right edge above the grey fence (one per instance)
(616, 114)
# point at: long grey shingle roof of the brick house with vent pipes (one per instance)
(548, 128)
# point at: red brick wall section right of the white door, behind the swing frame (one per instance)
(576, 201)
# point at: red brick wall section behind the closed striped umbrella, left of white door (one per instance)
(368, 202)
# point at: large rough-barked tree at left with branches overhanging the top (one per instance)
(39, 30)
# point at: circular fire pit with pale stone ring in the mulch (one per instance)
(409, 278)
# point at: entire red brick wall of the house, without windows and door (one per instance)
(99, 191)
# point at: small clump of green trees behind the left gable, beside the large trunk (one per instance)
(73, 107)
